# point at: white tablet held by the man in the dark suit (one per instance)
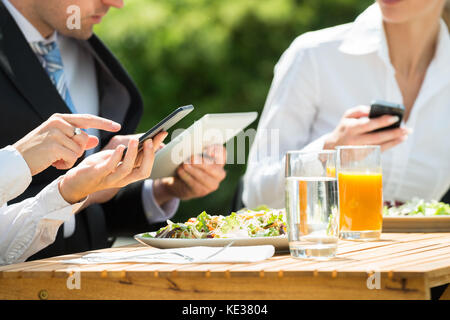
(215, 128)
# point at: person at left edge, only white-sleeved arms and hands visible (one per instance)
(31, 225)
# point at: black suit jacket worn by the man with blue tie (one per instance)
(28, 98)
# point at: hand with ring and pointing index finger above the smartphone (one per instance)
(54, 142)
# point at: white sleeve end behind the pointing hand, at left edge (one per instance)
(15, 174)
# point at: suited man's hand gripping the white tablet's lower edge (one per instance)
(195, 178)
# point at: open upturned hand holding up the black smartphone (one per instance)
(106, 170)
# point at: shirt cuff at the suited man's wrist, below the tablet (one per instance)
(153, 211)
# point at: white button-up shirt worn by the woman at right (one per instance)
(326, 72)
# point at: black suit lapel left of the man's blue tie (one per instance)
(24, 69)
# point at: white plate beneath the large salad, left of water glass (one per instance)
(279, 242)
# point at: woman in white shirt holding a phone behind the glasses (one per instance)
(398, 51)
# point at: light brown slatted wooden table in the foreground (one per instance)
(407, 266)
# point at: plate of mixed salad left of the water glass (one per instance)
(260, 226)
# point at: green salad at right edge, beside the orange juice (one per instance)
(418, 207)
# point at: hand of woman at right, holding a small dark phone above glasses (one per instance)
(356, 128)
